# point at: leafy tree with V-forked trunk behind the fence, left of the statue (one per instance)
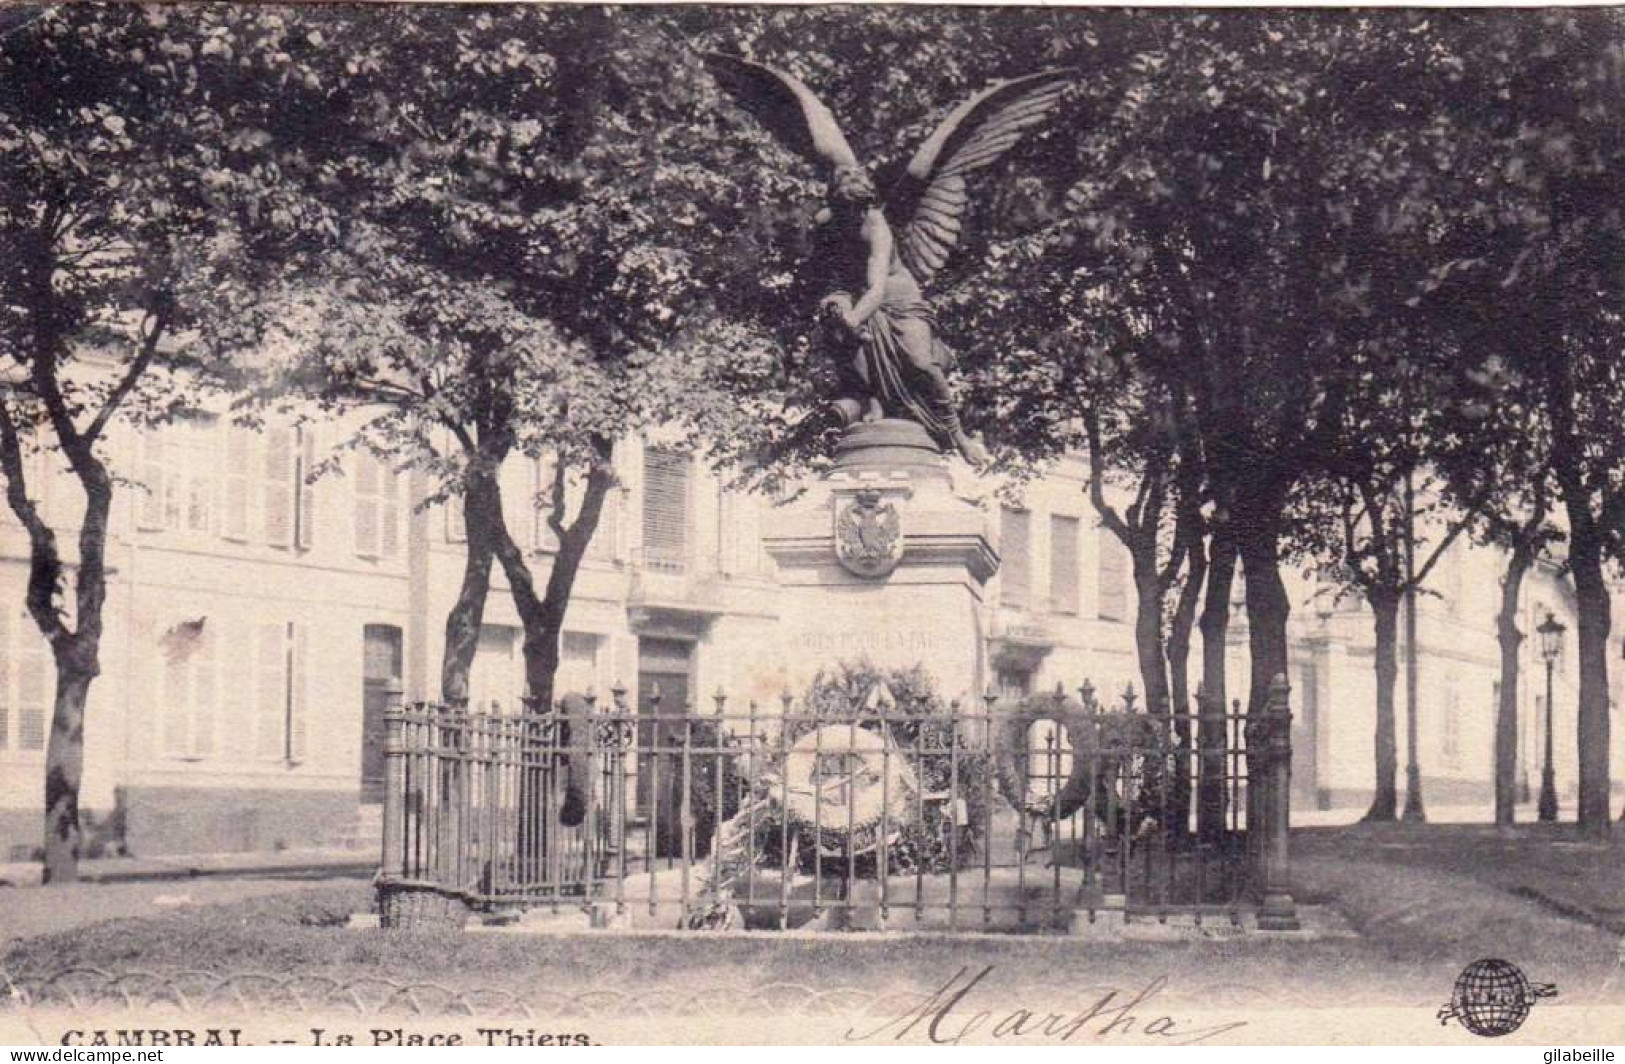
(531, 243)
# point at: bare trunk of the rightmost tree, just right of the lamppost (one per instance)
(1592, 594)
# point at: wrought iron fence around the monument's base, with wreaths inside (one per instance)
(1003, 818)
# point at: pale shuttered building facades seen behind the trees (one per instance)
(256, 623)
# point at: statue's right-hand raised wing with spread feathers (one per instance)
(930, 199)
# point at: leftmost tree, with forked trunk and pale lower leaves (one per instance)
(119, 179)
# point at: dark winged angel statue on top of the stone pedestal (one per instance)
(875, 275)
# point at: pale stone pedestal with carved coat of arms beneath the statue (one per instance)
(882, 560)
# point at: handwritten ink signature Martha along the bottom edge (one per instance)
(950, 1018)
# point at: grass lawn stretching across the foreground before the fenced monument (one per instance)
(1424, 902)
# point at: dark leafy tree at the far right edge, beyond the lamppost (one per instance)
(1532, 157)
